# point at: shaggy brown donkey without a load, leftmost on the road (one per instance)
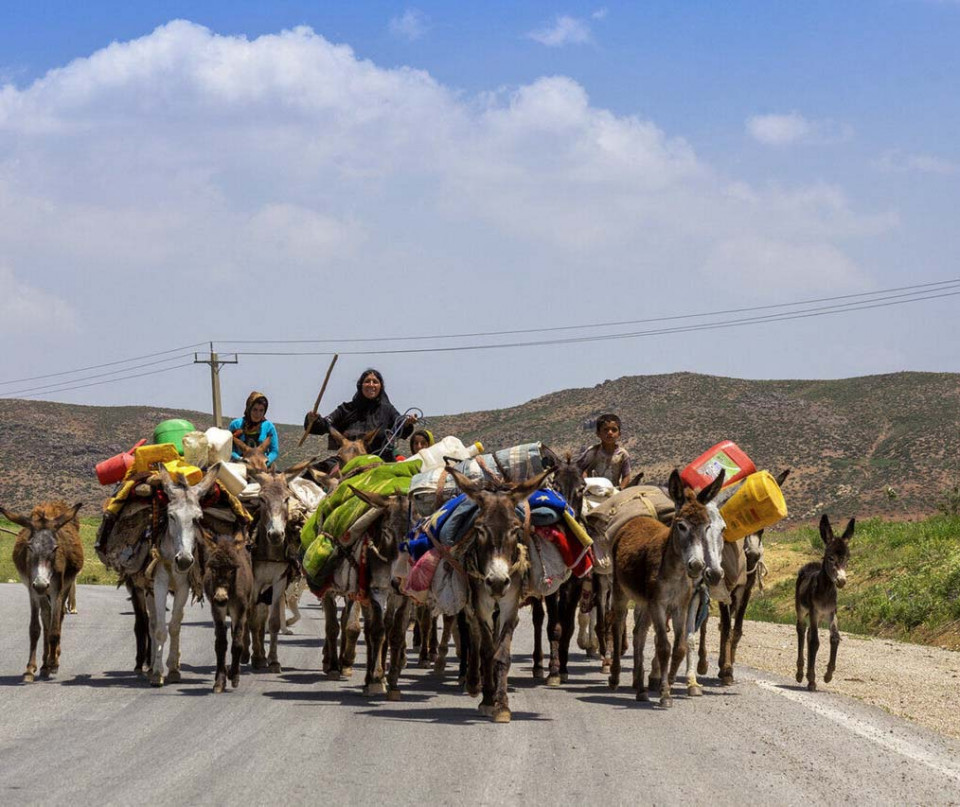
(48, 555)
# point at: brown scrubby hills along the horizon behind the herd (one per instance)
(875, 445)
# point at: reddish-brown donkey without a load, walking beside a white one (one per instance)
(655, 566)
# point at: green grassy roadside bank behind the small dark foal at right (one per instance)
(903, 579)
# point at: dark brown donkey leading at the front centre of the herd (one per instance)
(494, 556)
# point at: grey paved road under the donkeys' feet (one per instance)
(98, 735)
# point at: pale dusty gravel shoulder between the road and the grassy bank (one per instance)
(917, 682)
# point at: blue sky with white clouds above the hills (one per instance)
(374, 169)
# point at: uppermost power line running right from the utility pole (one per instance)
(361, 340)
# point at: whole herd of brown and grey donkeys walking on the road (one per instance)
(657, 568)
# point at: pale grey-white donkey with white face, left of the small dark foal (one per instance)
(175, 545)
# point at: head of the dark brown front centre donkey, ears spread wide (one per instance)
(497, 529)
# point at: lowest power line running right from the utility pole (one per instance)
(861, 305)
